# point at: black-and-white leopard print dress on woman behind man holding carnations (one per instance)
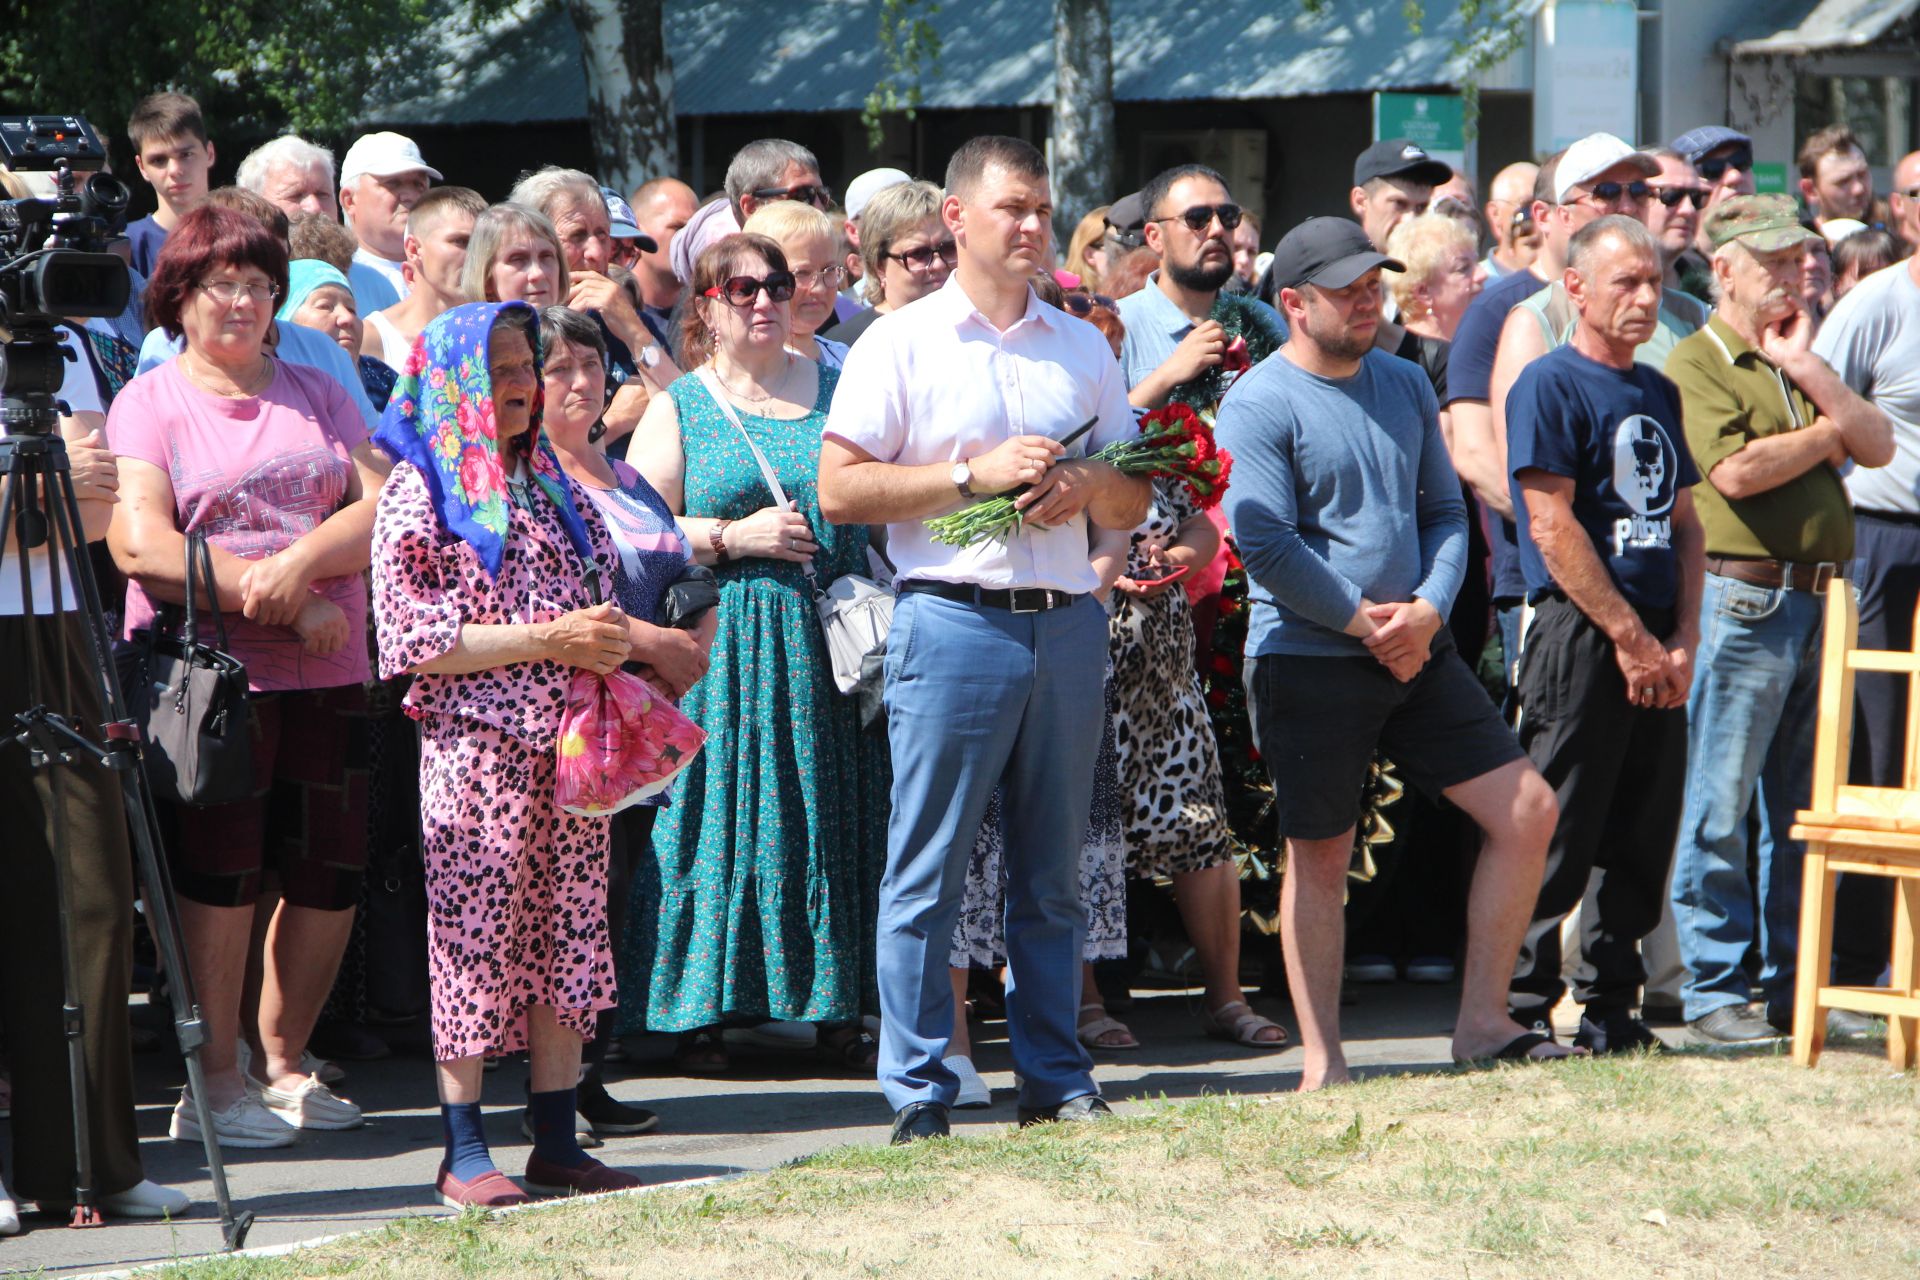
(1168, 757)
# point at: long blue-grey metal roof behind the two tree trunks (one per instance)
(757, 57)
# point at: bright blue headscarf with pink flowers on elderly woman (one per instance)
(443, 421)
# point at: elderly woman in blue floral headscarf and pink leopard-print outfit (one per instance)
(489, 579)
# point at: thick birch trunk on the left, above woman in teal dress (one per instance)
(631, 89)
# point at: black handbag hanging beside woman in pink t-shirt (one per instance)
(191, 703)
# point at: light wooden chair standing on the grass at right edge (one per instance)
(1861, 832)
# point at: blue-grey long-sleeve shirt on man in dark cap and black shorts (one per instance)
(1341, 490)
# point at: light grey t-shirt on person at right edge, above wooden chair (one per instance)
(1873, 343)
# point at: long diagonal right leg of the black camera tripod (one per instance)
(124, 757)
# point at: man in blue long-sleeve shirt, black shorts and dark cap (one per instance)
(1355, 536)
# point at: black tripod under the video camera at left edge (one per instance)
(37, 463)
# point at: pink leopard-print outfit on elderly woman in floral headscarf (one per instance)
(516, 886)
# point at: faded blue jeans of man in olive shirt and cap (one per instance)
(1750, 734)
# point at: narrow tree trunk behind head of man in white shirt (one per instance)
(1084, 110)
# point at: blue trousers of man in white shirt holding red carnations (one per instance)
(980, 696)
